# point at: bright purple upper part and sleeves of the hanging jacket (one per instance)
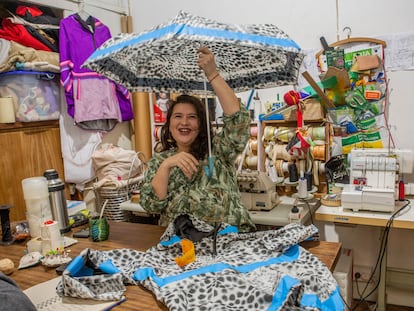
(77, 40)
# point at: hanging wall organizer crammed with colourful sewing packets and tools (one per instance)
(359, 92)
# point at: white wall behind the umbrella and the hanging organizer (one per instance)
(305, 22)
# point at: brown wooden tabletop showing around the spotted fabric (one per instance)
(135, 236)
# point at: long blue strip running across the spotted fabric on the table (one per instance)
(290, 255)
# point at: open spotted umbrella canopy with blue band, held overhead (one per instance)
(164, 59)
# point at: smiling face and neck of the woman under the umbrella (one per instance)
(184, 125)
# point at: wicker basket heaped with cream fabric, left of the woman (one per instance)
(119, 173)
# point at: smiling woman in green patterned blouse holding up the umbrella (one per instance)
(176, 182)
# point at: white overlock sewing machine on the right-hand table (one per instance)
(373, 178)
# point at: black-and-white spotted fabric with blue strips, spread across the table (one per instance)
(264, 270)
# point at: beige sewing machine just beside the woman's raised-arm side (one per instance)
(258, 191)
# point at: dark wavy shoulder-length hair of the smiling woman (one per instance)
(199, 147)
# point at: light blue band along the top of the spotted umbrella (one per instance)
(182, 29)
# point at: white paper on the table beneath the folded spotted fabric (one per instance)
(45, 298)
